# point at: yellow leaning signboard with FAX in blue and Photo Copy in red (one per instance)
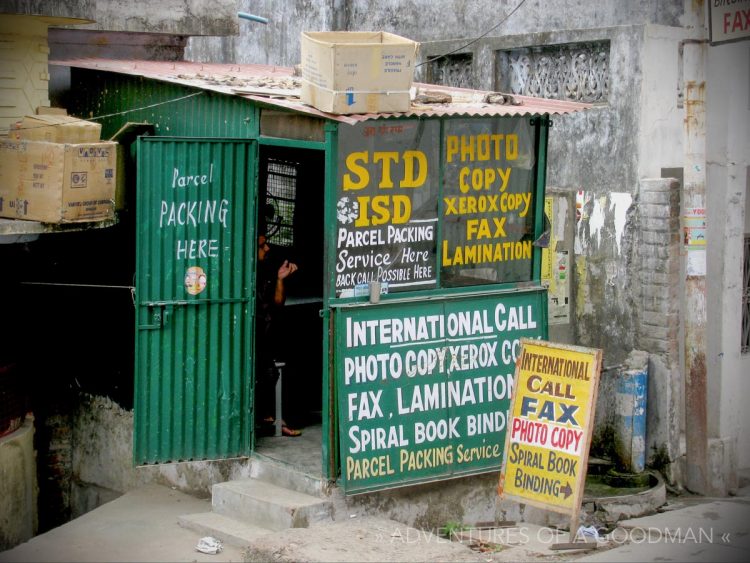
(549, 431)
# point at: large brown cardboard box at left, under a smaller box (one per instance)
(57, 183)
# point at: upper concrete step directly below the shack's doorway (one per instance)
(268, 505)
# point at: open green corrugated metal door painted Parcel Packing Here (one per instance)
(194, 315)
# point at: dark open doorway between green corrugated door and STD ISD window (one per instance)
(290, 203)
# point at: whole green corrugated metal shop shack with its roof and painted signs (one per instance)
(418, 274)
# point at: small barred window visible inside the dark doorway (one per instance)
(281, 192)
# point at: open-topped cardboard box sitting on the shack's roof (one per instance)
(349, 72)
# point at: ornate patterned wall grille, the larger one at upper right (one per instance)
(577, 72)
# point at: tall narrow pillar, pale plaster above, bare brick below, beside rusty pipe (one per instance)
(661, 147)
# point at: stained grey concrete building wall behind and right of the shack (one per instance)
(597, 152)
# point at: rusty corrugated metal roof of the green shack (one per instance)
(276, 86)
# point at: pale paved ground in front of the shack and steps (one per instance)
(142, 526)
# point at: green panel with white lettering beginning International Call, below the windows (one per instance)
(423, 388)
